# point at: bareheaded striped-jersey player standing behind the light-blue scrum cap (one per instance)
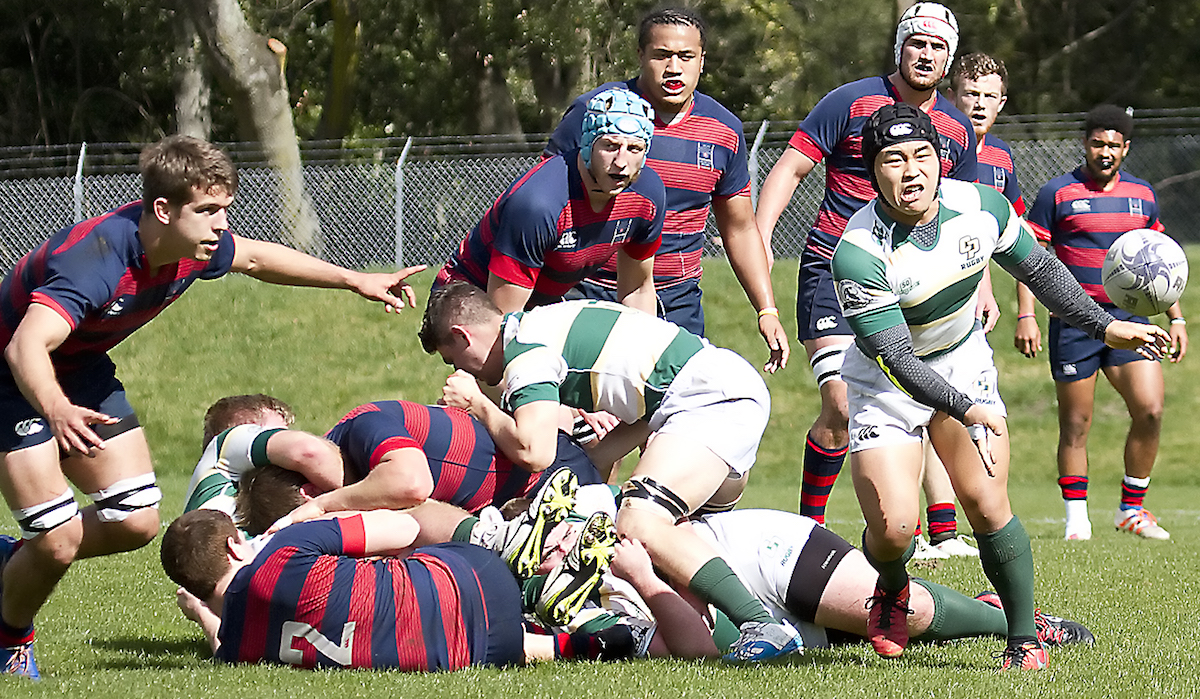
(700, 152)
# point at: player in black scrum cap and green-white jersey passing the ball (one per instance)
(908, 271)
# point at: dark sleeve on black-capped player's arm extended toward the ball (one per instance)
(1054, 285)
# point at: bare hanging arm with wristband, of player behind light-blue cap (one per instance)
(746, 249)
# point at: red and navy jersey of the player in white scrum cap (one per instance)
(833, 130)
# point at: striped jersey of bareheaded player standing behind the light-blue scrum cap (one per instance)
(700, 158)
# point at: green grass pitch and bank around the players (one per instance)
(112, 629)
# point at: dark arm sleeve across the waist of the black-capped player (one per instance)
(893, 349)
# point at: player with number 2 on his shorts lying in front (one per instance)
(346, 593)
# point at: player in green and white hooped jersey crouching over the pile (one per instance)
(706, 407)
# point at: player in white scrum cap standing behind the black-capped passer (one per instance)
(927, 38)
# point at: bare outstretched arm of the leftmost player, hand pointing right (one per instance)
(281, 265)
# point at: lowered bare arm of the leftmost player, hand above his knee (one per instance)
(41, 331)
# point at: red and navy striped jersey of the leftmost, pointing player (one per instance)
(94, 274)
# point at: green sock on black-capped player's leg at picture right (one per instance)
(1007, 560)
